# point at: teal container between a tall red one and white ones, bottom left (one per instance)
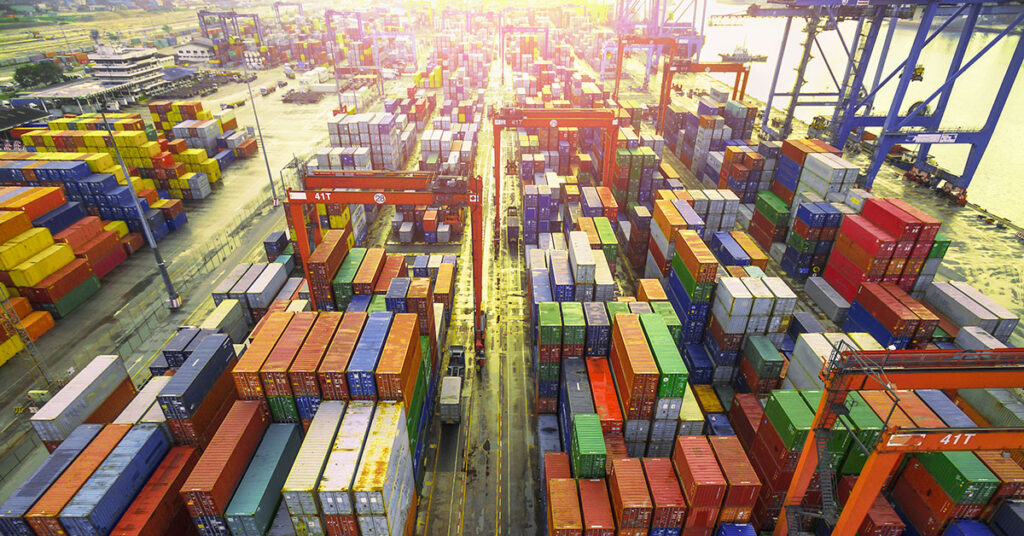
(257, 500)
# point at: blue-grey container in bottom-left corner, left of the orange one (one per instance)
(35, 486)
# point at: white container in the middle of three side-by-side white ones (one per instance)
(336, 485)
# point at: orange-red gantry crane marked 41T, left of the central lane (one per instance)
(391, 188)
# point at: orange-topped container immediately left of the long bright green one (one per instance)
(634, 368)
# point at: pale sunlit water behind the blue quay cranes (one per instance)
(969, 105)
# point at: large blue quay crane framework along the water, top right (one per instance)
(855, 103)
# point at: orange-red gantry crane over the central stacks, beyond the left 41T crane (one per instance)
(603, 118)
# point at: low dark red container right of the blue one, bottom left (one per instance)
(159, 503)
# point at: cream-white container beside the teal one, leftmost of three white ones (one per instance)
(301, 488)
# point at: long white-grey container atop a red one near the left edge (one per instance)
(76, 401)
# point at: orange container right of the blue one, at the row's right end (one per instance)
(400, 361)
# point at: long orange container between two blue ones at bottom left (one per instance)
(44, 515)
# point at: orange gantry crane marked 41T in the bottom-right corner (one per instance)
(849, 369)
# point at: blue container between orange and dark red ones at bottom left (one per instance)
(99, 505)
